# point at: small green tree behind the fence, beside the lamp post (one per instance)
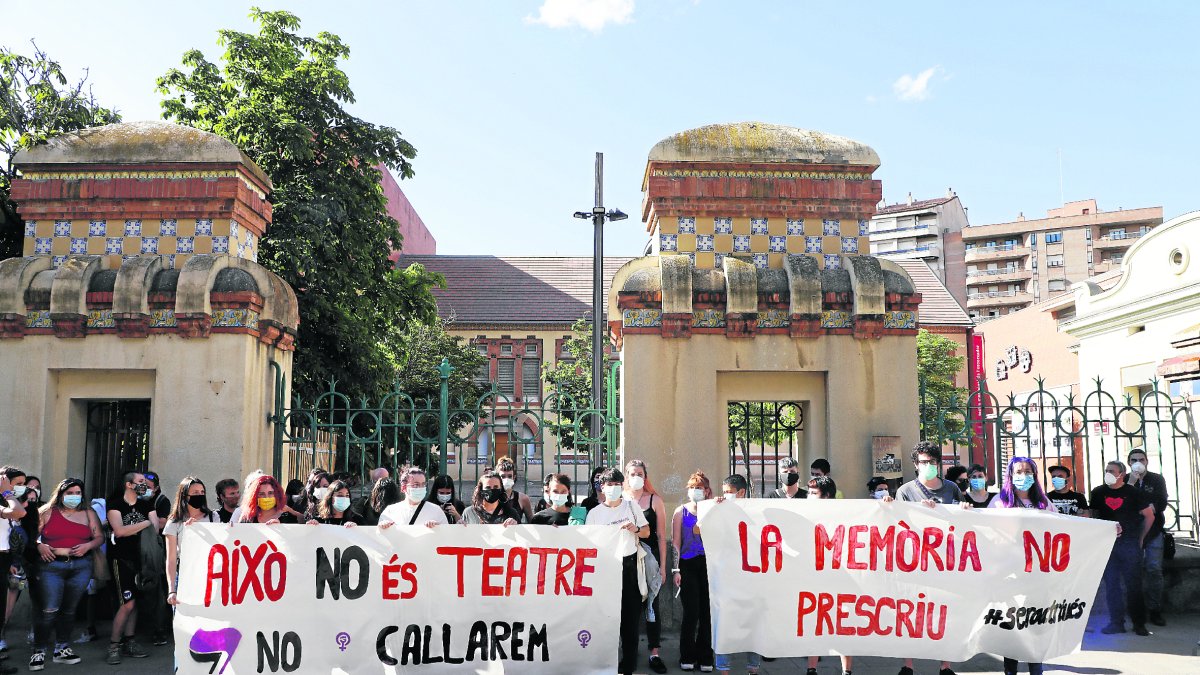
(572, 381)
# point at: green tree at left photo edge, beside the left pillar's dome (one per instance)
(38, 103)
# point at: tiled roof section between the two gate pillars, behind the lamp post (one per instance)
(547, 291)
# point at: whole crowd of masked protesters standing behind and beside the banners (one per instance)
(79, 553)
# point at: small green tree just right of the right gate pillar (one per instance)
(944, 404)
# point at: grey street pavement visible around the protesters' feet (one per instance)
(1169, 650)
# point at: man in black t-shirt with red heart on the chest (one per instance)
(1129, 509)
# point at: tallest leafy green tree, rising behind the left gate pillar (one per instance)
(281, 98)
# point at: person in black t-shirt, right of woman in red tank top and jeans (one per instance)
(130, 512)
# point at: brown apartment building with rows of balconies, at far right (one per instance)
(1011, 266)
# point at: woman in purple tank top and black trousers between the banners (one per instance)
(692, 580)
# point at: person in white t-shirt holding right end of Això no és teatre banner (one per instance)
(617, 511)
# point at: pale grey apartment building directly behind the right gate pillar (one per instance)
(927, 230)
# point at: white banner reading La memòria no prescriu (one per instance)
(859, 577)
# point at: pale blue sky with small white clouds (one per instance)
(508, 101)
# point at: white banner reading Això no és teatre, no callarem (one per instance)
(299, 599)
